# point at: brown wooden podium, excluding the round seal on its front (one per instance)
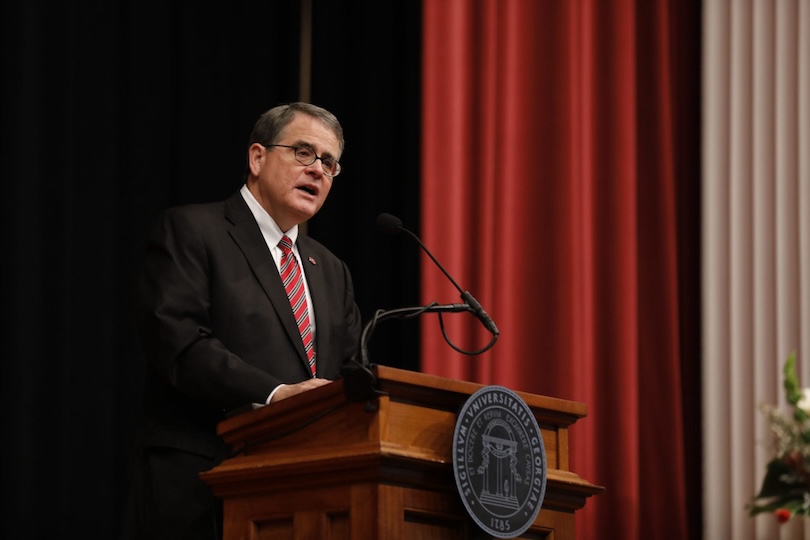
(320, 466)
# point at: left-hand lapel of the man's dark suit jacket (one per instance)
(245, 232)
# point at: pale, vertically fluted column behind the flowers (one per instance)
(755, 263)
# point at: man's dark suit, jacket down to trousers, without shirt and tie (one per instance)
(219, 334)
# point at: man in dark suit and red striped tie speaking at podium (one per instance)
(217, 325)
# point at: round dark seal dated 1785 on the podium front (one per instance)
(499, 461)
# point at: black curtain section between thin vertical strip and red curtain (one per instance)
(369, 75)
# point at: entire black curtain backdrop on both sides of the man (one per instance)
(114, 110)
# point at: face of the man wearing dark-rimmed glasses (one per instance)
(290, 192)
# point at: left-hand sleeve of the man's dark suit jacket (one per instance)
(175, 320)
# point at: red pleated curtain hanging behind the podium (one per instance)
(549, 164)
